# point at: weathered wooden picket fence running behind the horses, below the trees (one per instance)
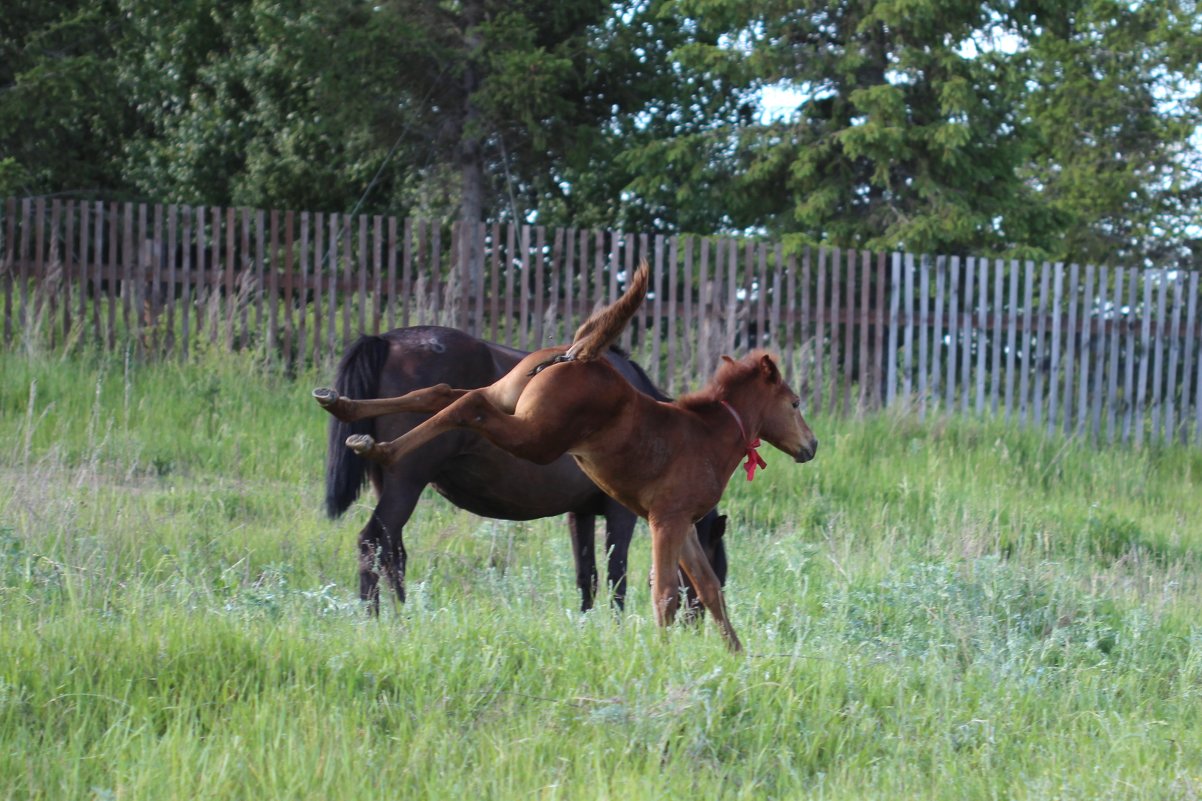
(1110, 354)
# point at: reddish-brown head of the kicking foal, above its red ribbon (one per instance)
(758, 379)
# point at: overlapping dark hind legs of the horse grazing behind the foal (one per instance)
(382, 543)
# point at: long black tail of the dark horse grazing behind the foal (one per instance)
(359, 377)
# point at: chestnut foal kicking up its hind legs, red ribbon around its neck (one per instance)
(669, 462)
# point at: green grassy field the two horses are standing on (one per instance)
(950, 610)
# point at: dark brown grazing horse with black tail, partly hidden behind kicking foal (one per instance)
(467, 470)
